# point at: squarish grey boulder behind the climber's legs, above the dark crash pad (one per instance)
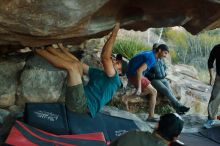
(40, 82)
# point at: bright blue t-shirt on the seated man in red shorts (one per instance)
(148, 57)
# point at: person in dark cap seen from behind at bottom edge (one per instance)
(167, 131)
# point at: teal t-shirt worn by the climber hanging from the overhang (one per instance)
(100, 89)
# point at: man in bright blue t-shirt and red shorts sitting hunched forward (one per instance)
(138, 66)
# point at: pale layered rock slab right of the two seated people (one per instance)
(189, 90)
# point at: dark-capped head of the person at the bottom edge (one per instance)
(170, 126)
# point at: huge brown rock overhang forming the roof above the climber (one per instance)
(36, 23)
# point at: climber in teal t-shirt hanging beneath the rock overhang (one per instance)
(102, 84)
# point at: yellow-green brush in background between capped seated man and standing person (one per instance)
(191, 49)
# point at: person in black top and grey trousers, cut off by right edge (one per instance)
(214, 100)
